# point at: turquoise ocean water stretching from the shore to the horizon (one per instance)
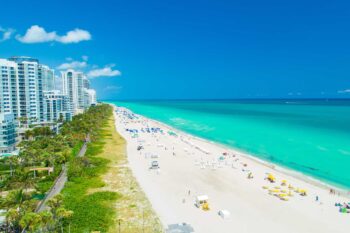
(312, 137)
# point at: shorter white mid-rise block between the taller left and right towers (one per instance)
(56, 106)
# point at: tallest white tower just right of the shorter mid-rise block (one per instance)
(73, 83)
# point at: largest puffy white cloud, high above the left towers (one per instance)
(37, 34)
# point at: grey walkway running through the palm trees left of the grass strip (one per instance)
(61, 180)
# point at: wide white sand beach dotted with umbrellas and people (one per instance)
(190, 167)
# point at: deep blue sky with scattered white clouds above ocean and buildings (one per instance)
(181, 49)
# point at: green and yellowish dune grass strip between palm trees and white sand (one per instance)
(103, 192)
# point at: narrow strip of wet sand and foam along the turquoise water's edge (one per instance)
(285, 170)
